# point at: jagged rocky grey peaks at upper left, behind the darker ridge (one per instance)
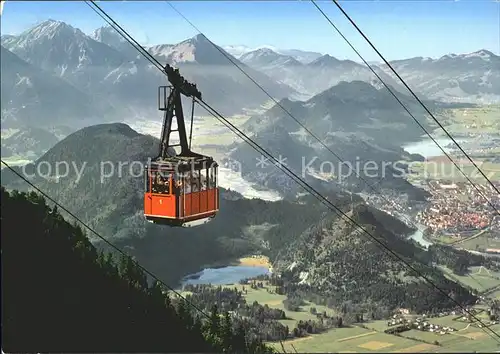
(107, 69)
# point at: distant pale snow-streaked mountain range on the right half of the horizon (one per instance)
(472, 77)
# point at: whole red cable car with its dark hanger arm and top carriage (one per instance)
(180, 189)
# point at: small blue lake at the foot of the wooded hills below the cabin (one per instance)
(225, 275)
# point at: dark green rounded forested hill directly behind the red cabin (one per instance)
(114, 207)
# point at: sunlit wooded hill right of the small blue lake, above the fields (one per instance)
(337, 263)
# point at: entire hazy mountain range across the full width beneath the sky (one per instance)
(64, 74)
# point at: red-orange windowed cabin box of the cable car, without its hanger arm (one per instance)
(184, 198)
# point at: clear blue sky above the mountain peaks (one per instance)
(399, 29)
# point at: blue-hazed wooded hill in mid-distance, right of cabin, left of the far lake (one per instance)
(363, 125)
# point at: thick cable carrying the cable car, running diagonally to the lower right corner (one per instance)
(320, 197)
